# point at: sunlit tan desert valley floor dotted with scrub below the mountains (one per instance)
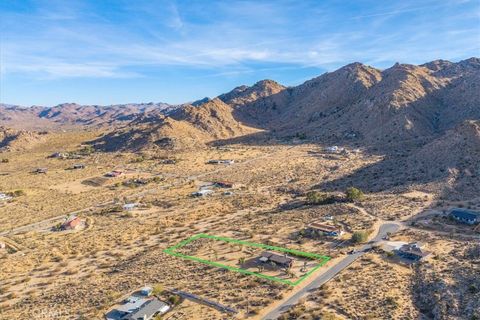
(50, 273)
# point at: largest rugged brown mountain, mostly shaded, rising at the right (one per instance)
(371, 106)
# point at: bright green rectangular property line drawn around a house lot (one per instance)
(172, 251)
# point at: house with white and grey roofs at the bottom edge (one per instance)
(140, 306)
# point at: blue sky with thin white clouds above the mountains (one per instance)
(119, 51)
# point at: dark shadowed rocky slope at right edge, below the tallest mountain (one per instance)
(450, 160)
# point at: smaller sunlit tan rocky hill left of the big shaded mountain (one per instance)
(186, 128)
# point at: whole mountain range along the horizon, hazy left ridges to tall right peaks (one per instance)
(356, 104)
